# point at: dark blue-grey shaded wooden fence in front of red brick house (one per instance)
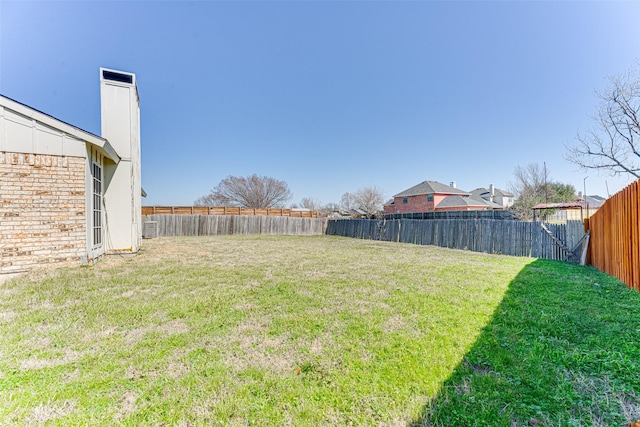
(480, 235)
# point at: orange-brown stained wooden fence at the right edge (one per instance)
(615, 236)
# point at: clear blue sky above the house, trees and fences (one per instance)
(329, 96)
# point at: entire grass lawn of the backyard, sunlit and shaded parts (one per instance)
(306, 331)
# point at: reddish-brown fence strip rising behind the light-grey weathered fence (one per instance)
(226, 210)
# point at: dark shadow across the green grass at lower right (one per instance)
(563, 348)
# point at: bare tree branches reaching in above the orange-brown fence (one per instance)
(614, 142)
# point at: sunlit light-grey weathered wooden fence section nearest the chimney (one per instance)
(209, 225)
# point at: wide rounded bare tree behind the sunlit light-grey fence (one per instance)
(248, 192)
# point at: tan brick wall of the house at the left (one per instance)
(42, 210)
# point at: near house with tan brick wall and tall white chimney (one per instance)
(65, 193)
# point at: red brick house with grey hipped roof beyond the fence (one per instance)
(433, 196)
